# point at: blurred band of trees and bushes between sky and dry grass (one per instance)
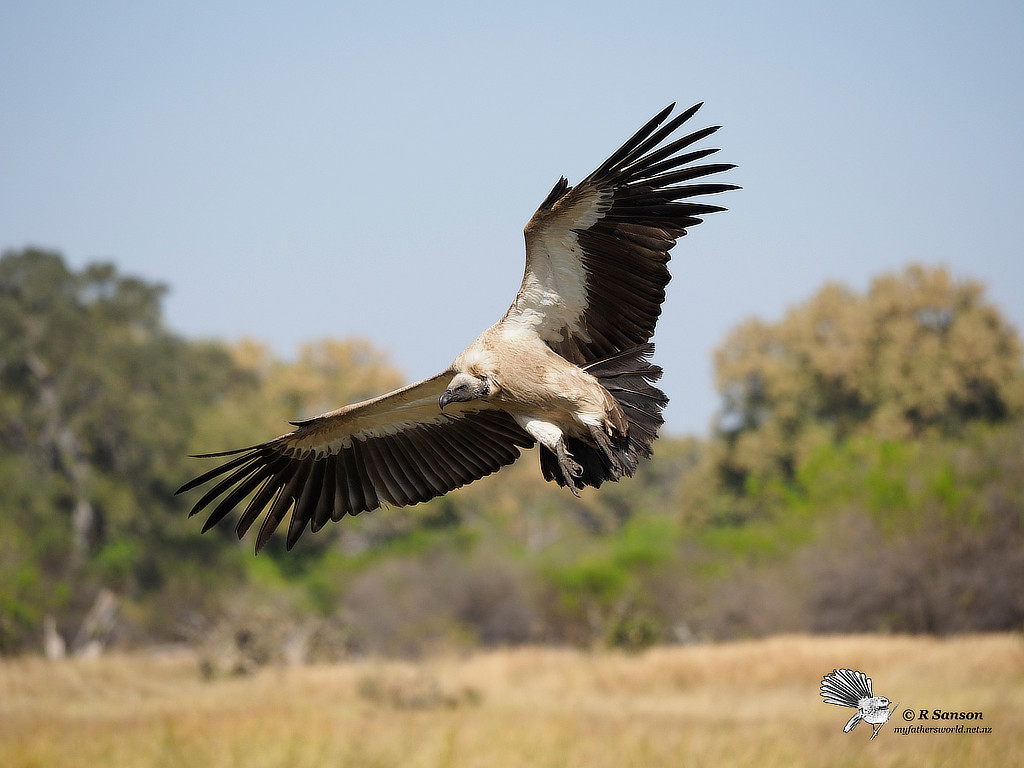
(866, 475)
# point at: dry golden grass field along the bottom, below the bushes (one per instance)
(741, 704)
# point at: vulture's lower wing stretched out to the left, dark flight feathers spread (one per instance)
(399, 449)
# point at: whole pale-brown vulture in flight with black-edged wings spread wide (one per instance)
(568, 367)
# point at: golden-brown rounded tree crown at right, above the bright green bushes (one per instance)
(919, 355)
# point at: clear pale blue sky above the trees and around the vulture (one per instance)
(301, 170)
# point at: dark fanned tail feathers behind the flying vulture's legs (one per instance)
(629, 377)
